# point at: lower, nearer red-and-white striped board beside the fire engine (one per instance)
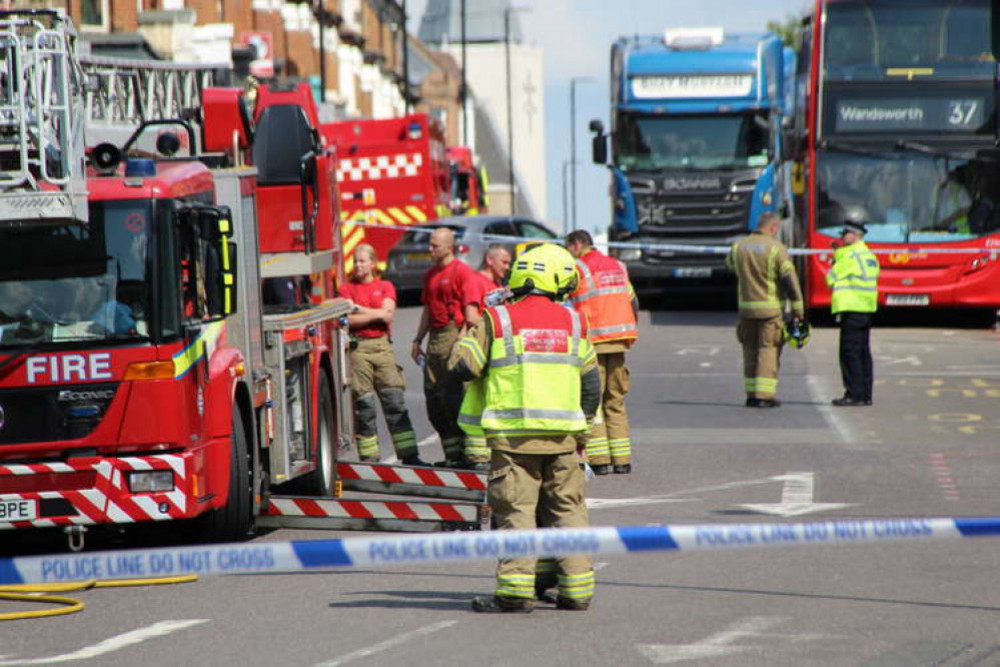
(356, 509)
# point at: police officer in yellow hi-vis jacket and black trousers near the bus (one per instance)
(853, 278)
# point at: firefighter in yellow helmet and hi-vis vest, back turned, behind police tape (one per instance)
(542, 387)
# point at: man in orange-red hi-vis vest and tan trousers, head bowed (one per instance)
(604, 296)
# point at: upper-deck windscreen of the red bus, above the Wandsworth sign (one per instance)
(913, 37)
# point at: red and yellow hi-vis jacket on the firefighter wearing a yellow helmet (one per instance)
(540, 378)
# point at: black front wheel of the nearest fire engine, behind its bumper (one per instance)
(234, 521)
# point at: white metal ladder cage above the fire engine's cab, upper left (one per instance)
(41, 119)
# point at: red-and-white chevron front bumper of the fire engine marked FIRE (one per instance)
(97, 489)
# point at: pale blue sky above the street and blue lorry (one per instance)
(576, 38)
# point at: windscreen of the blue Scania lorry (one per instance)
(692, 142)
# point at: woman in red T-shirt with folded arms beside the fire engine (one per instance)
(375, 376)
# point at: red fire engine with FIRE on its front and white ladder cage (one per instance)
(143, 374)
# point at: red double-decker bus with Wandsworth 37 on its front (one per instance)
(897, 115)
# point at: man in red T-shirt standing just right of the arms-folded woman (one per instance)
(443, 318)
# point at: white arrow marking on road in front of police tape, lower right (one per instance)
(721, 644)
